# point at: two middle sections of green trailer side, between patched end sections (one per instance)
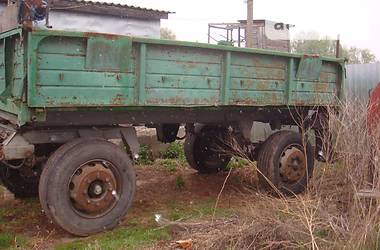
(183, 76)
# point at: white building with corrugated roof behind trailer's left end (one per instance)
(89, 16)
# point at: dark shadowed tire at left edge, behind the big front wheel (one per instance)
(17, 184)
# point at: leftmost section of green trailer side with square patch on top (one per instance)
(69, 71)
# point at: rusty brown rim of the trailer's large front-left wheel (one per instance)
(94, 189)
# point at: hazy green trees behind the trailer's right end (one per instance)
(311, 43)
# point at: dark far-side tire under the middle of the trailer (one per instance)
(192, 147)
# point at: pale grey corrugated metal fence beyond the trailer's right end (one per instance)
(361, 79)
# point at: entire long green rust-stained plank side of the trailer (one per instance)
(71, 70)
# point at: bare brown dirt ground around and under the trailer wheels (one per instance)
(159, 191)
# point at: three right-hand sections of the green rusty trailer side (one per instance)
(187, 76)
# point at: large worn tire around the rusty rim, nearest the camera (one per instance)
(54, 190)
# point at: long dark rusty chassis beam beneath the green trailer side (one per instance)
(151, 116)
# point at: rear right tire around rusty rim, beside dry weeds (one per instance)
(269, 159)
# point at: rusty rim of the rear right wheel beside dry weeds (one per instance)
(292, 164)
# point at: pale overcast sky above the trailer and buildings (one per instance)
(355, 21)
